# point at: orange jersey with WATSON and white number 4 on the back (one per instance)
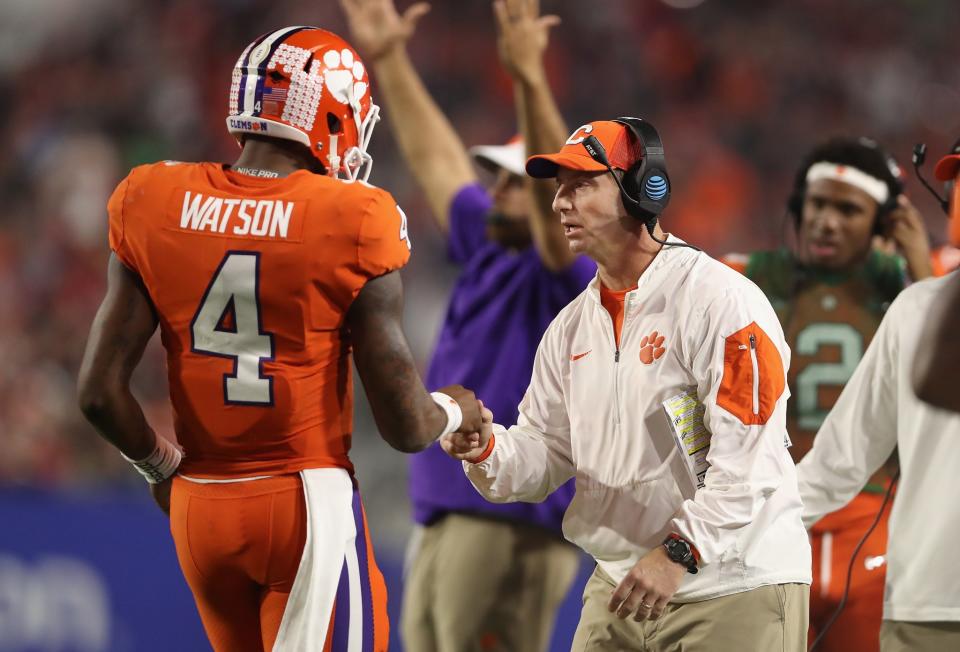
(251, 279)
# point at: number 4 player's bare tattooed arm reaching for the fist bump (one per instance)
(406, 415)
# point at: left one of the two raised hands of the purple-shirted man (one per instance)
(376, 28)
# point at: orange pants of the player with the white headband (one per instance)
(833, 540)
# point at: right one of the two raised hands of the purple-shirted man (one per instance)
(522, 37)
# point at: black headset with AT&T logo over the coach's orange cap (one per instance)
(645, 189)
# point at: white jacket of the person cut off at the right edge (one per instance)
(877, 411)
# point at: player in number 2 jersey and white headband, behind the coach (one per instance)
(830, 296)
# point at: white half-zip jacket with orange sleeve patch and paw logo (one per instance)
(597, 413)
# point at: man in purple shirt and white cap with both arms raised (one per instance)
(484, 576)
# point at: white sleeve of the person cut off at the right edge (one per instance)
(859, 433)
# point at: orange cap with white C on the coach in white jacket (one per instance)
(622, 151)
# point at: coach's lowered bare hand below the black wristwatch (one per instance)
(648, 587)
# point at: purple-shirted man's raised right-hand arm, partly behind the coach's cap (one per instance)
(522, 39)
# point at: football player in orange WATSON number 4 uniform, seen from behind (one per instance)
(263, 277)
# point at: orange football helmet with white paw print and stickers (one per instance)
(307, 85)
